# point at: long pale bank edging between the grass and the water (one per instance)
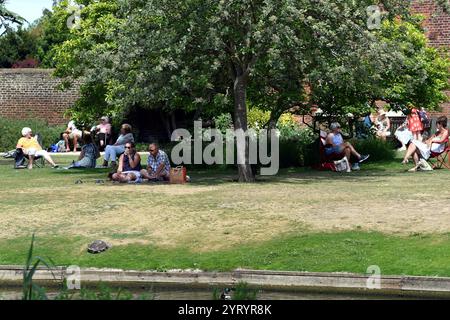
(412, 286)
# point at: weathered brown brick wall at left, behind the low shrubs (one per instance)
(32, 93)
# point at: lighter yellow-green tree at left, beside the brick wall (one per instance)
(88, 56)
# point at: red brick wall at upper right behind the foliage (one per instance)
(437, 26)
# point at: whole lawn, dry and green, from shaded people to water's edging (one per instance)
(300, 220)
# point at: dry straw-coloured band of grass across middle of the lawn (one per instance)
(212, 217)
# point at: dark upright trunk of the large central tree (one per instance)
(240, 122)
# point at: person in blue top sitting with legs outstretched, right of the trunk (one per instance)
(336, 147)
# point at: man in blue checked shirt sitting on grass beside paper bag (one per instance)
(158, 165)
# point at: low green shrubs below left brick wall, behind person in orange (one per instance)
(10, 132)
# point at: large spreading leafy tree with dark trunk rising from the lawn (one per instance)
(210, 54)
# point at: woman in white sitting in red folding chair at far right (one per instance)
(421, 151)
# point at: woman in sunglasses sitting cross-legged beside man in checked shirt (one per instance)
(129, 165)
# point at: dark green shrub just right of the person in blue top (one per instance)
(379, 150)
